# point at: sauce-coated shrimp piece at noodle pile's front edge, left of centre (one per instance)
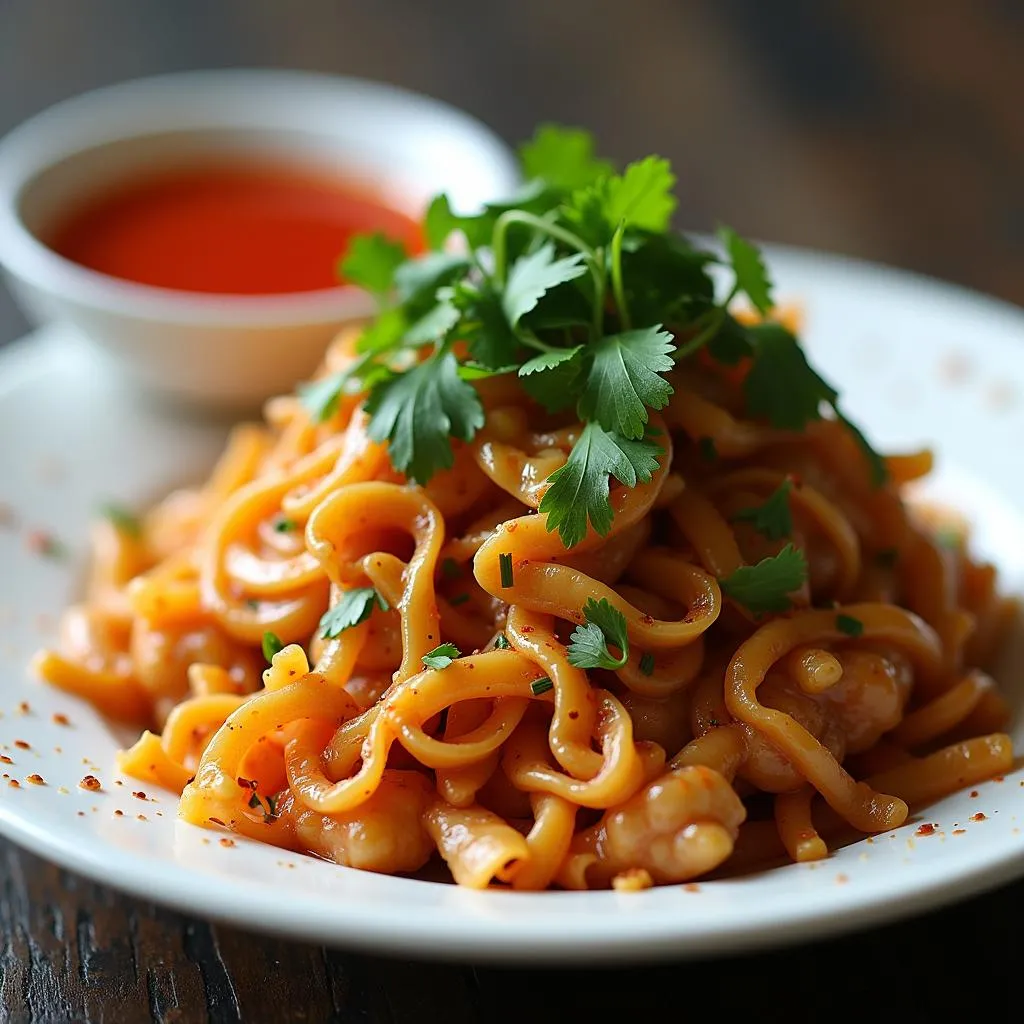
(383, 834)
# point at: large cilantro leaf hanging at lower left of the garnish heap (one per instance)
(417, 412)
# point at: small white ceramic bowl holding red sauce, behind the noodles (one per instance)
(230, 352)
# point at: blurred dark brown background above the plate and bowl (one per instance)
(891, 132)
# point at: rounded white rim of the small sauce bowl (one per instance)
(35, 146)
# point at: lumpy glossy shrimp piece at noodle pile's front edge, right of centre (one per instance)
(680, 827)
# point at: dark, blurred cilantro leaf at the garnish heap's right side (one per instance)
(782, 387)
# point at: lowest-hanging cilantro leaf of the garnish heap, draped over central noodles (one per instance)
(579, 491)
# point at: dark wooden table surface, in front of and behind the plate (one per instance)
(886, 131)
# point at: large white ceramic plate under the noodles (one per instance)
(916, 361)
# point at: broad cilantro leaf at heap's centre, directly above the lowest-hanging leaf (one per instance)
(624, 379)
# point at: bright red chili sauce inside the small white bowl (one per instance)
(228, 231)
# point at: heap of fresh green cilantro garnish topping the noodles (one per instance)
(577, 286)
